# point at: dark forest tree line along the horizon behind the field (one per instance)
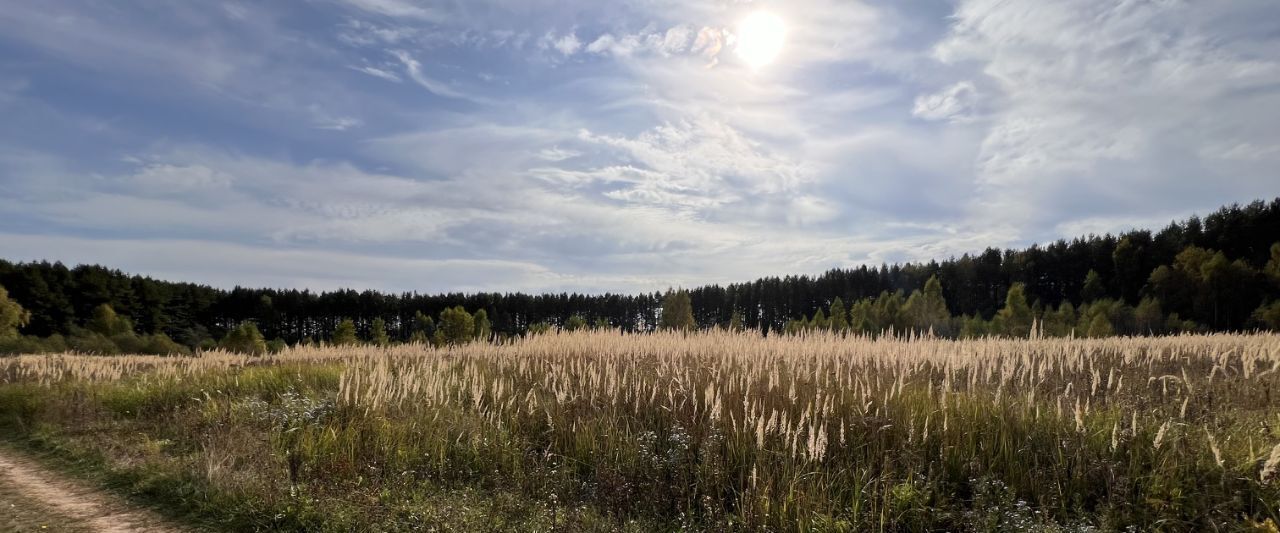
(1218, 274)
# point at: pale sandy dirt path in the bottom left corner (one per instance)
(42, 500)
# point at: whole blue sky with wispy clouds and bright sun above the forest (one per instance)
(632, 145)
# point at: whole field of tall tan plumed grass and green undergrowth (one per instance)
(714, 431)
